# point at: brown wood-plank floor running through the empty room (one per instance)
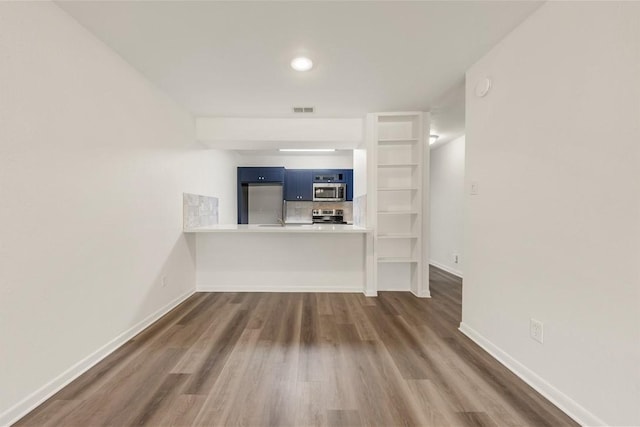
(255, 359)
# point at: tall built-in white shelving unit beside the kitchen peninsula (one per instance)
(398, 158)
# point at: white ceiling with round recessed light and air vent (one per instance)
(232, 58)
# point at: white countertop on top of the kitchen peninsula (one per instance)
(275, 228)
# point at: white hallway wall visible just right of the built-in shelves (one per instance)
(447, 198)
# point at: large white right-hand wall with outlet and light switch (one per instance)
(554, 233)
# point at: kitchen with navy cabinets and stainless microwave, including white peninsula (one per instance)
(297, 228)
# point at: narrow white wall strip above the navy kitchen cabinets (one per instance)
(341, 159)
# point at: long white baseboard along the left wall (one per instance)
(36, 398)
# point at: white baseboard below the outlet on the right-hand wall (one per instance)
(555, 396)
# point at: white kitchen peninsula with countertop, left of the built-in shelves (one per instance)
(291, 258)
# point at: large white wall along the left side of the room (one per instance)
(93, 163)
